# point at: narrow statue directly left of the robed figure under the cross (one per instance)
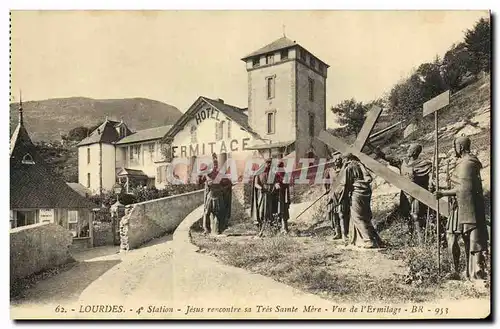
(337, 210)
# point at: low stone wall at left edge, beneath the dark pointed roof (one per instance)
(36, 248)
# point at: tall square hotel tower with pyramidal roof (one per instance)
(287, 96)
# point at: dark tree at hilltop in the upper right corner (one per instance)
(478, 42)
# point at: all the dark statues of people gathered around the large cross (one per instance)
(349, 203)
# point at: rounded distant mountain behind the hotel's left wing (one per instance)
(47, 119)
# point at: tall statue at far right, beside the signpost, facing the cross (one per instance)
(467, 217)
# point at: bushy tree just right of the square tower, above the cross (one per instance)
(351, 115)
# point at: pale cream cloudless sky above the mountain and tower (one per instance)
(176, 56)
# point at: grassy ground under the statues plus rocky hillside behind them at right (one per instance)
(309, 260)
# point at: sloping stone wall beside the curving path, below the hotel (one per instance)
(152, 219)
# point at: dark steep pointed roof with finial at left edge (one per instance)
(35, 185)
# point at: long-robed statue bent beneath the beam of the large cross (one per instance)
(354, 185)
